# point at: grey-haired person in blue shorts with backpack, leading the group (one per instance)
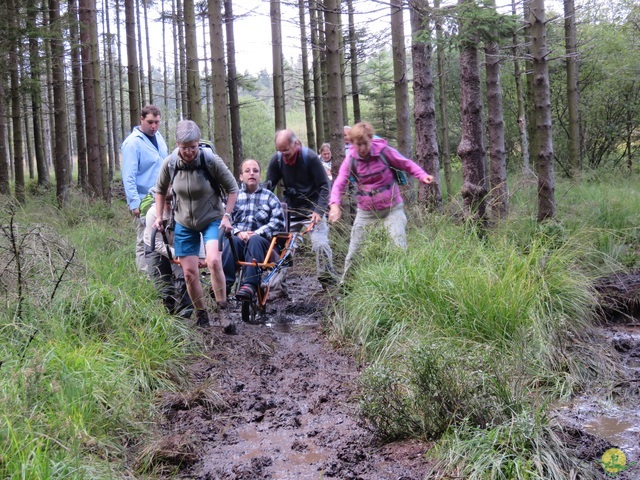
(198, 209)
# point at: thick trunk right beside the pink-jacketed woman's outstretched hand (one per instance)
(424, 106)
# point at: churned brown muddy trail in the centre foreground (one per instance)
(277, 401)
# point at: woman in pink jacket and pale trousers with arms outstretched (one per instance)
(368, 162)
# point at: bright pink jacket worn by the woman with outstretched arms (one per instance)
(377, 189)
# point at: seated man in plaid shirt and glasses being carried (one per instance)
(257, 216)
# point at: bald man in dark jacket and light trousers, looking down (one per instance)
(306, 192)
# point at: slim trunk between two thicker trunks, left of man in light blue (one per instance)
(76, 76)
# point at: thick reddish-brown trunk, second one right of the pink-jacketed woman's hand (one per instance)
(471, 149)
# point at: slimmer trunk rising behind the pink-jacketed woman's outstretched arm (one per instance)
(400, 80)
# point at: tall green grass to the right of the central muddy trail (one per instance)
(471, 334)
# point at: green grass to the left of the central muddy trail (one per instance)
(79, 371)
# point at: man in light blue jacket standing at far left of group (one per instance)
(142, 154)
